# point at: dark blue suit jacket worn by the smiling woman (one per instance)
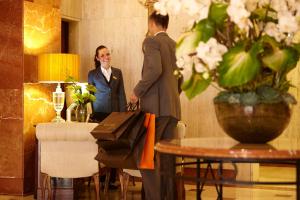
(110, 96)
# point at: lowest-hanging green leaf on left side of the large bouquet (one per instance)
(195, 85)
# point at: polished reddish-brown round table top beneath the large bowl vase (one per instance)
(286, 149)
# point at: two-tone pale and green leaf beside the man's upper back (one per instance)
(189, 41)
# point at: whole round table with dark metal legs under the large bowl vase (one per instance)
(226, 150)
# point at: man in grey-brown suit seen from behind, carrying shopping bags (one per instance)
(158, 94)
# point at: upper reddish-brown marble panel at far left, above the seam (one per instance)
(11, 50)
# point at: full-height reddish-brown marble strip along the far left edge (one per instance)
(11, 97)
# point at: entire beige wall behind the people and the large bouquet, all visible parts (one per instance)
(121, 25)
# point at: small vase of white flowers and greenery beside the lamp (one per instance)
(81, 96)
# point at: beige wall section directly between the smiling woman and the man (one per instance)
(121, 26)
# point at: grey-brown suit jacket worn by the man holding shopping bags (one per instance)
(158, 88)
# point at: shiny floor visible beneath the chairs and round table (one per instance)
(209, 193)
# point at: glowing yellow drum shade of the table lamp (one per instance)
(58, 67)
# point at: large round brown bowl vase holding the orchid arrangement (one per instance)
(253, 124)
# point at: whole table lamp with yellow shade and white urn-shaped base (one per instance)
(56, 68)
